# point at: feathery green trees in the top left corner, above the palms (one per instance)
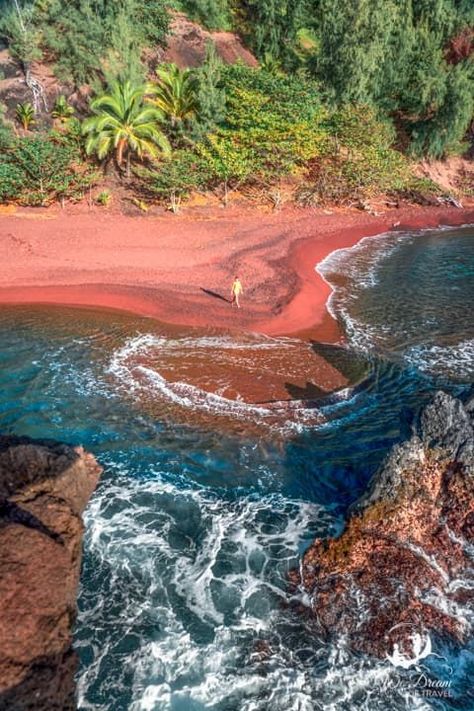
(81, 35)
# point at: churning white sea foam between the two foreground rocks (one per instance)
(181, 618)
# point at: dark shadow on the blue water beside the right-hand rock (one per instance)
(332, 465)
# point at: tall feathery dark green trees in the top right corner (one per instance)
(395, 55)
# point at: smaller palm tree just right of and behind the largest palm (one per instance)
(175, 95)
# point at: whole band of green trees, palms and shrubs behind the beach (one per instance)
(347, 95)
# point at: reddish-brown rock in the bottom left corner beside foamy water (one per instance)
(44, 487)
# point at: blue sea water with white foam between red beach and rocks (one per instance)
(206, 502)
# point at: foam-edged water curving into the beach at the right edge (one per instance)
(389, 293)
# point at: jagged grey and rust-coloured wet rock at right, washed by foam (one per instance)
(405, 559)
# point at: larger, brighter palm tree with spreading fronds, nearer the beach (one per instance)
(123, 124)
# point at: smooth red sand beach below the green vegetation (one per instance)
(160, 266)
